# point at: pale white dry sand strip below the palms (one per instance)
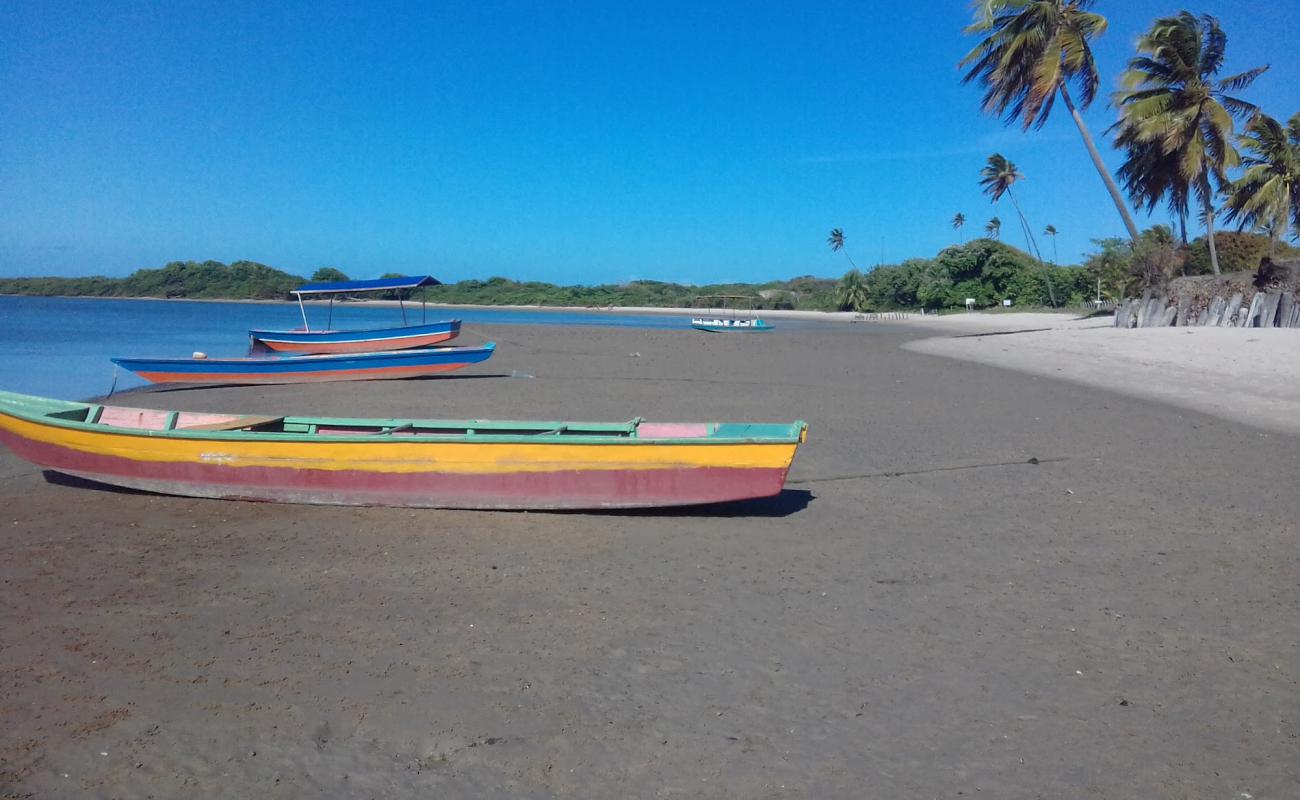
(1247, 377)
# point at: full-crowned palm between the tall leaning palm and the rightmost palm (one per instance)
(1176, 118)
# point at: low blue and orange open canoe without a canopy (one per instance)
(307, 369)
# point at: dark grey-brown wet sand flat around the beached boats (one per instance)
(981, 582)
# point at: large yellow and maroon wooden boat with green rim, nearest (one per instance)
(404, 462)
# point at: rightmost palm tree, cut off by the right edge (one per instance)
(1268, 194)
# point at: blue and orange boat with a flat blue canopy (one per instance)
(307, 341)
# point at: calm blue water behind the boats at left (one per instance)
(60, 347)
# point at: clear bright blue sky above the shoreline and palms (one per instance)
(570, 142)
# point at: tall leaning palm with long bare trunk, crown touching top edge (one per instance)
(1030, 54)
